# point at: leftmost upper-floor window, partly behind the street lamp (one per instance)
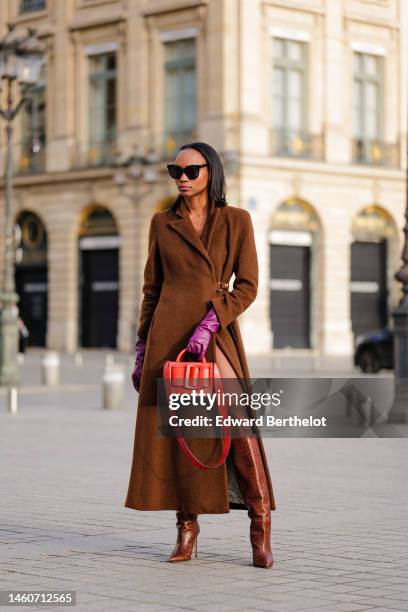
(33, 128)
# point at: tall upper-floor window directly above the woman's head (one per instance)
(180, 95)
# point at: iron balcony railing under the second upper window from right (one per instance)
(301, 144)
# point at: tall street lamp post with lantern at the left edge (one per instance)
(20, 63)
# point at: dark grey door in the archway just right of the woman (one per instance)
(290, 295)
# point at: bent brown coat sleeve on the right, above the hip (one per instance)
(230, 305)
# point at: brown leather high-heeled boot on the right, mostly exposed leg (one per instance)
(253, 485)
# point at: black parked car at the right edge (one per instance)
(374, 350)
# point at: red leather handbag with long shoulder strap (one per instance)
(184, 376)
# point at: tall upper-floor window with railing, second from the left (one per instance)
(102, 109)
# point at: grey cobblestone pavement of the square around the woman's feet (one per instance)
(339, 531)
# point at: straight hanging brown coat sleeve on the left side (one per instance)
(153, 277)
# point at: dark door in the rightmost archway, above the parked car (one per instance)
(368, 286)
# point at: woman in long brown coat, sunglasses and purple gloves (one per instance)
(194, 248)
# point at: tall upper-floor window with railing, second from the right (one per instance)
(290, 135)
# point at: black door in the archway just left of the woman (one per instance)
(99, 297)
